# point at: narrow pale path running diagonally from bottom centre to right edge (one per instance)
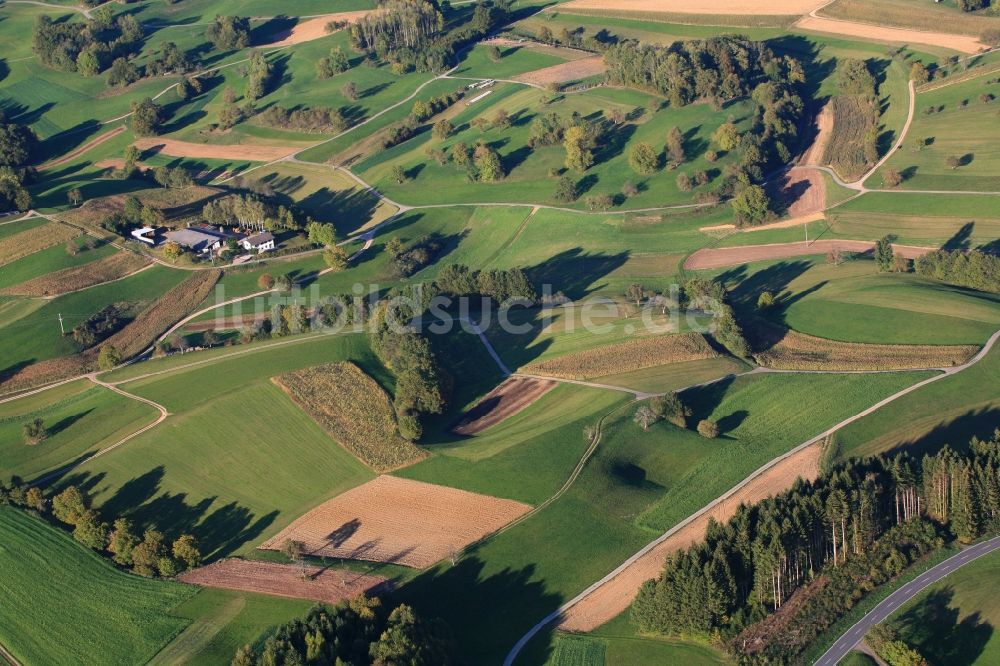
(555, 615)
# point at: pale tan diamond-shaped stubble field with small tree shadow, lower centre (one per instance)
(400, 521)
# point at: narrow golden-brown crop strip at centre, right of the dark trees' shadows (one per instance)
(627, 356)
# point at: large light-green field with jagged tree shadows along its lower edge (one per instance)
(237, 460)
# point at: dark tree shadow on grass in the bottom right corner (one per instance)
(933, 627)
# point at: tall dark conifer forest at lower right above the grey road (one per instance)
(835, 538)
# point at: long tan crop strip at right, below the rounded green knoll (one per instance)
(798, 351)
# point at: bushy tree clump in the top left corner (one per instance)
(88, 48)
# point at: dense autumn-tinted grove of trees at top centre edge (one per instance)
(413, 34)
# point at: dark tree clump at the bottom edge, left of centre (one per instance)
(360, 632)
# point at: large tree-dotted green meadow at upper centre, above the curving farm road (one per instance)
(528, 178)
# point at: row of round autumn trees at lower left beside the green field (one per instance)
(147, 555)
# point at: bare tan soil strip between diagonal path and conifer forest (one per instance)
(613, 597)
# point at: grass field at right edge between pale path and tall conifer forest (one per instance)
(949, 411)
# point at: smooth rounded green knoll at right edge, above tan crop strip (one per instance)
(854, 303)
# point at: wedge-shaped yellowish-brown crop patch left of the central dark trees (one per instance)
(354, 410)
